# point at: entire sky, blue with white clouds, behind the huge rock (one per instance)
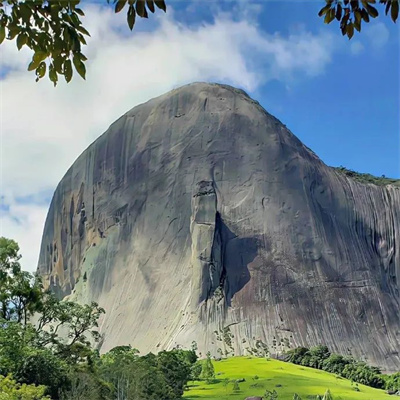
(340, 97)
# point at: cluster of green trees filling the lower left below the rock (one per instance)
(52, 355)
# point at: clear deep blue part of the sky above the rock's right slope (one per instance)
(350, 114)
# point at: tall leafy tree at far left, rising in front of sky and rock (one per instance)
(37, 353)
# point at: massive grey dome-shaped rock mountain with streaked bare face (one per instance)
(199, 217)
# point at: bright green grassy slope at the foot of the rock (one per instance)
(285, 378)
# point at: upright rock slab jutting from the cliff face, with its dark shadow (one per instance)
(220, 258)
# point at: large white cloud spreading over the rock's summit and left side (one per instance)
(43, 129)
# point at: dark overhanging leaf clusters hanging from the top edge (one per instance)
(54, 31)
